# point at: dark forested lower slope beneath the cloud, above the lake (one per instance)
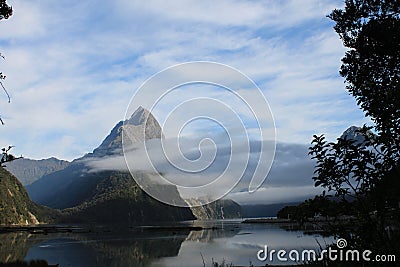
(117, 198)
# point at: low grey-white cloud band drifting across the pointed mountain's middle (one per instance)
(290, 178)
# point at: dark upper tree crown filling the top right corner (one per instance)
(371, 66)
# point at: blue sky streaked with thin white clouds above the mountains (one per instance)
(73, 67)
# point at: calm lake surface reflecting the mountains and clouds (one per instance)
(230, 241)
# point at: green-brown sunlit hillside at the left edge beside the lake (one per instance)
(15, 206)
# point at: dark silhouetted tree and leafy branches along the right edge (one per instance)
(366, 174)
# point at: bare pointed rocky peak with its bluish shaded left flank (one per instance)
(77, 183)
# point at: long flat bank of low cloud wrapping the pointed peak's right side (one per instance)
(290, 176)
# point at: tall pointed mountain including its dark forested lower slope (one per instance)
(108, 196)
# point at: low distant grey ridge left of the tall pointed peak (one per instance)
(28, 170)
